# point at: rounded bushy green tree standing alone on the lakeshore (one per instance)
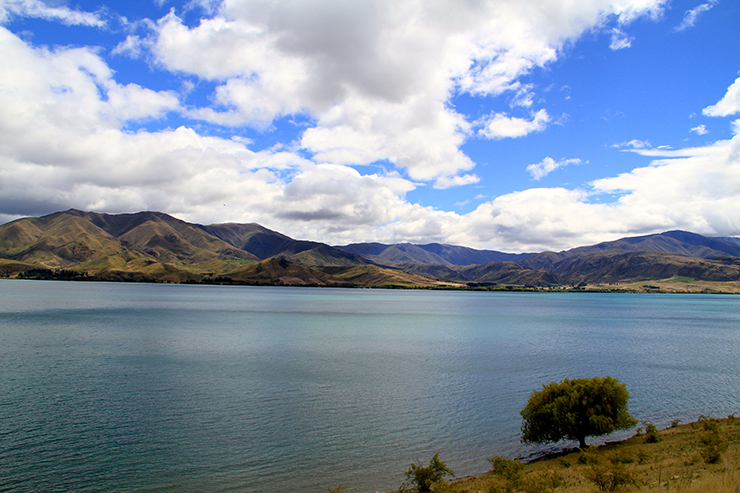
(574, 409)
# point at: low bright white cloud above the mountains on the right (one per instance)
(696, 189)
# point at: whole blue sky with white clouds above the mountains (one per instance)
(511, 125)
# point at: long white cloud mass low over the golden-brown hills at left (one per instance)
(72, 148)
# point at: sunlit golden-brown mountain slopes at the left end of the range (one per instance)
(101, 243)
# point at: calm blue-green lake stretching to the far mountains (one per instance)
(174, 388)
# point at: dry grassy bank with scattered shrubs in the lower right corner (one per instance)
(698, 457)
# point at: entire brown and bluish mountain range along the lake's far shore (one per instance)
(156, 247)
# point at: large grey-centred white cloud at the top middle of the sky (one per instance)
(378, 72)
